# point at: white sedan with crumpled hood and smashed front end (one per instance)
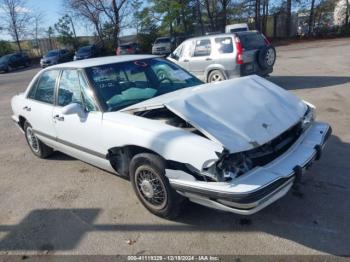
(237, 146)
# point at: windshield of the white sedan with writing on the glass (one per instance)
(123, 84)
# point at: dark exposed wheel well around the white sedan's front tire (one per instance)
(120, 157)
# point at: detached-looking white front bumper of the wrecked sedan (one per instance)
(261, 186)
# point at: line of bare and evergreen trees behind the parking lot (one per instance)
(152, 18)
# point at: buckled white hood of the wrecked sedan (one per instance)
(240, 114)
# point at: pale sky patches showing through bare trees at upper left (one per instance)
(52, 10)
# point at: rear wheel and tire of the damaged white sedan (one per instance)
(36, 146)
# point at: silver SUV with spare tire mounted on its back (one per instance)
(223, 56)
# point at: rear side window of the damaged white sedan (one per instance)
(45, 88)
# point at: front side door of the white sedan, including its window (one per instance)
(78, 133)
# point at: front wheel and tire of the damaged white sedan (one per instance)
(147, 175)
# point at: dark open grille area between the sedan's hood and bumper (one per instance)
(266, 153)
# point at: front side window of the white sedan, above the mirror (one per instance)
(69, 88)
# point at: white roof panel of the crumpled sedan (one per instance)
(101, 61)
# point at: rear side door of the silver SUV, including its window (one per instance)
(201, 57)
